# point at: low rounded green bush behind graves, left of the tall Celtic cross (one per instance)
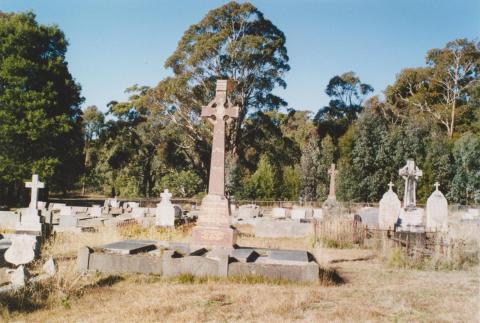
(183, 183)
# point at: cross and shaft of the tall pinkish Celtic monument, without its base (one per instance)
(219, 111)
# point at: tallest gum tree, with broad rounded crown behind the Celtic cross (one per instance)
(234, 41)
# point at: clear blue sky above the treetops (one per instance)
(118, 43)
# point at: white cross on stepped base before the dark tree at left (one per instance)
(30, 218)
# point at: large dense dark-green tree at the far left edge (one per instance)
(39, 107)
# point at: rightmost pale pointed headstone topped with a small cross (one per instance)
(437, 211)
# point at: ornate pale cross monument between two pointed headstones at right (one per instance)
(411, 217)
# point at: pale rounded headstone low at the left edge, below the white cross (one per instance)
(22, 250)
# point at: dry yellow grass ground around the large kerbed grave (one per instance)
(357, 285)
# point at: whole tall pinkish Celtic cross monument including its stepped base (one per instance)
(213, 225)
